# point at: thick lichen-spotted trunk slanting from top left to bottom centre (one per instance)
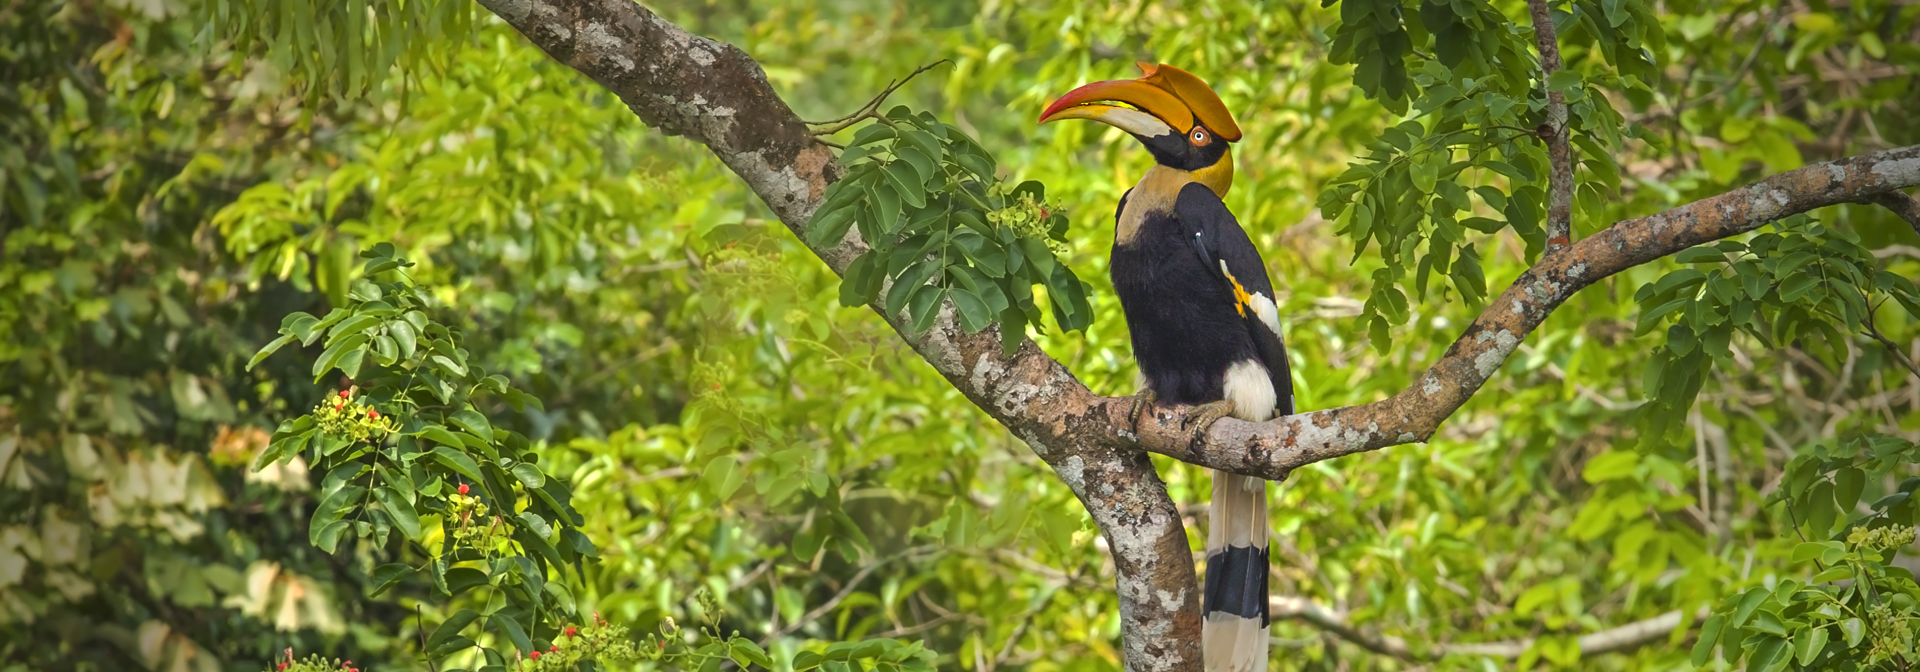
(717, 95)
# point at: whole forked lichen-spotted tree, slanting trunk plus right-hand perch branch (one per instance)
(717, 95)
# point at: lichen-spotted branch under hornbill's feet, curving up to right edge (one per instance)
(1280, 446)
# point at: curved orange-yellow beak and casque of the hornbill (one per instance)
(1163, 101)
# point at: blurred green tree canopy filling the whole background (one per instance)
(170, 195)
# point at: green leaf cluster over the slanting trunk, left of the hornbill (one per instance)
(944, 228)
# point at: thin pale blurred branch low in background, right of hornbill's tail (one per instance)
(1614, 640)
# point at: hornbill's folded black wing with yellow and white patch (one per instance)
(1226, 249)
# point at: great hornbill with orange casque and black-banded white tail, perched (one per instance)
(1203, 320)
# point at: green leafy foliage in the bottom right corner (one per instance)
(1860, 612)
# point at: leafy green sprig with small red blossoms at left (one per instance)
(418, 462)
